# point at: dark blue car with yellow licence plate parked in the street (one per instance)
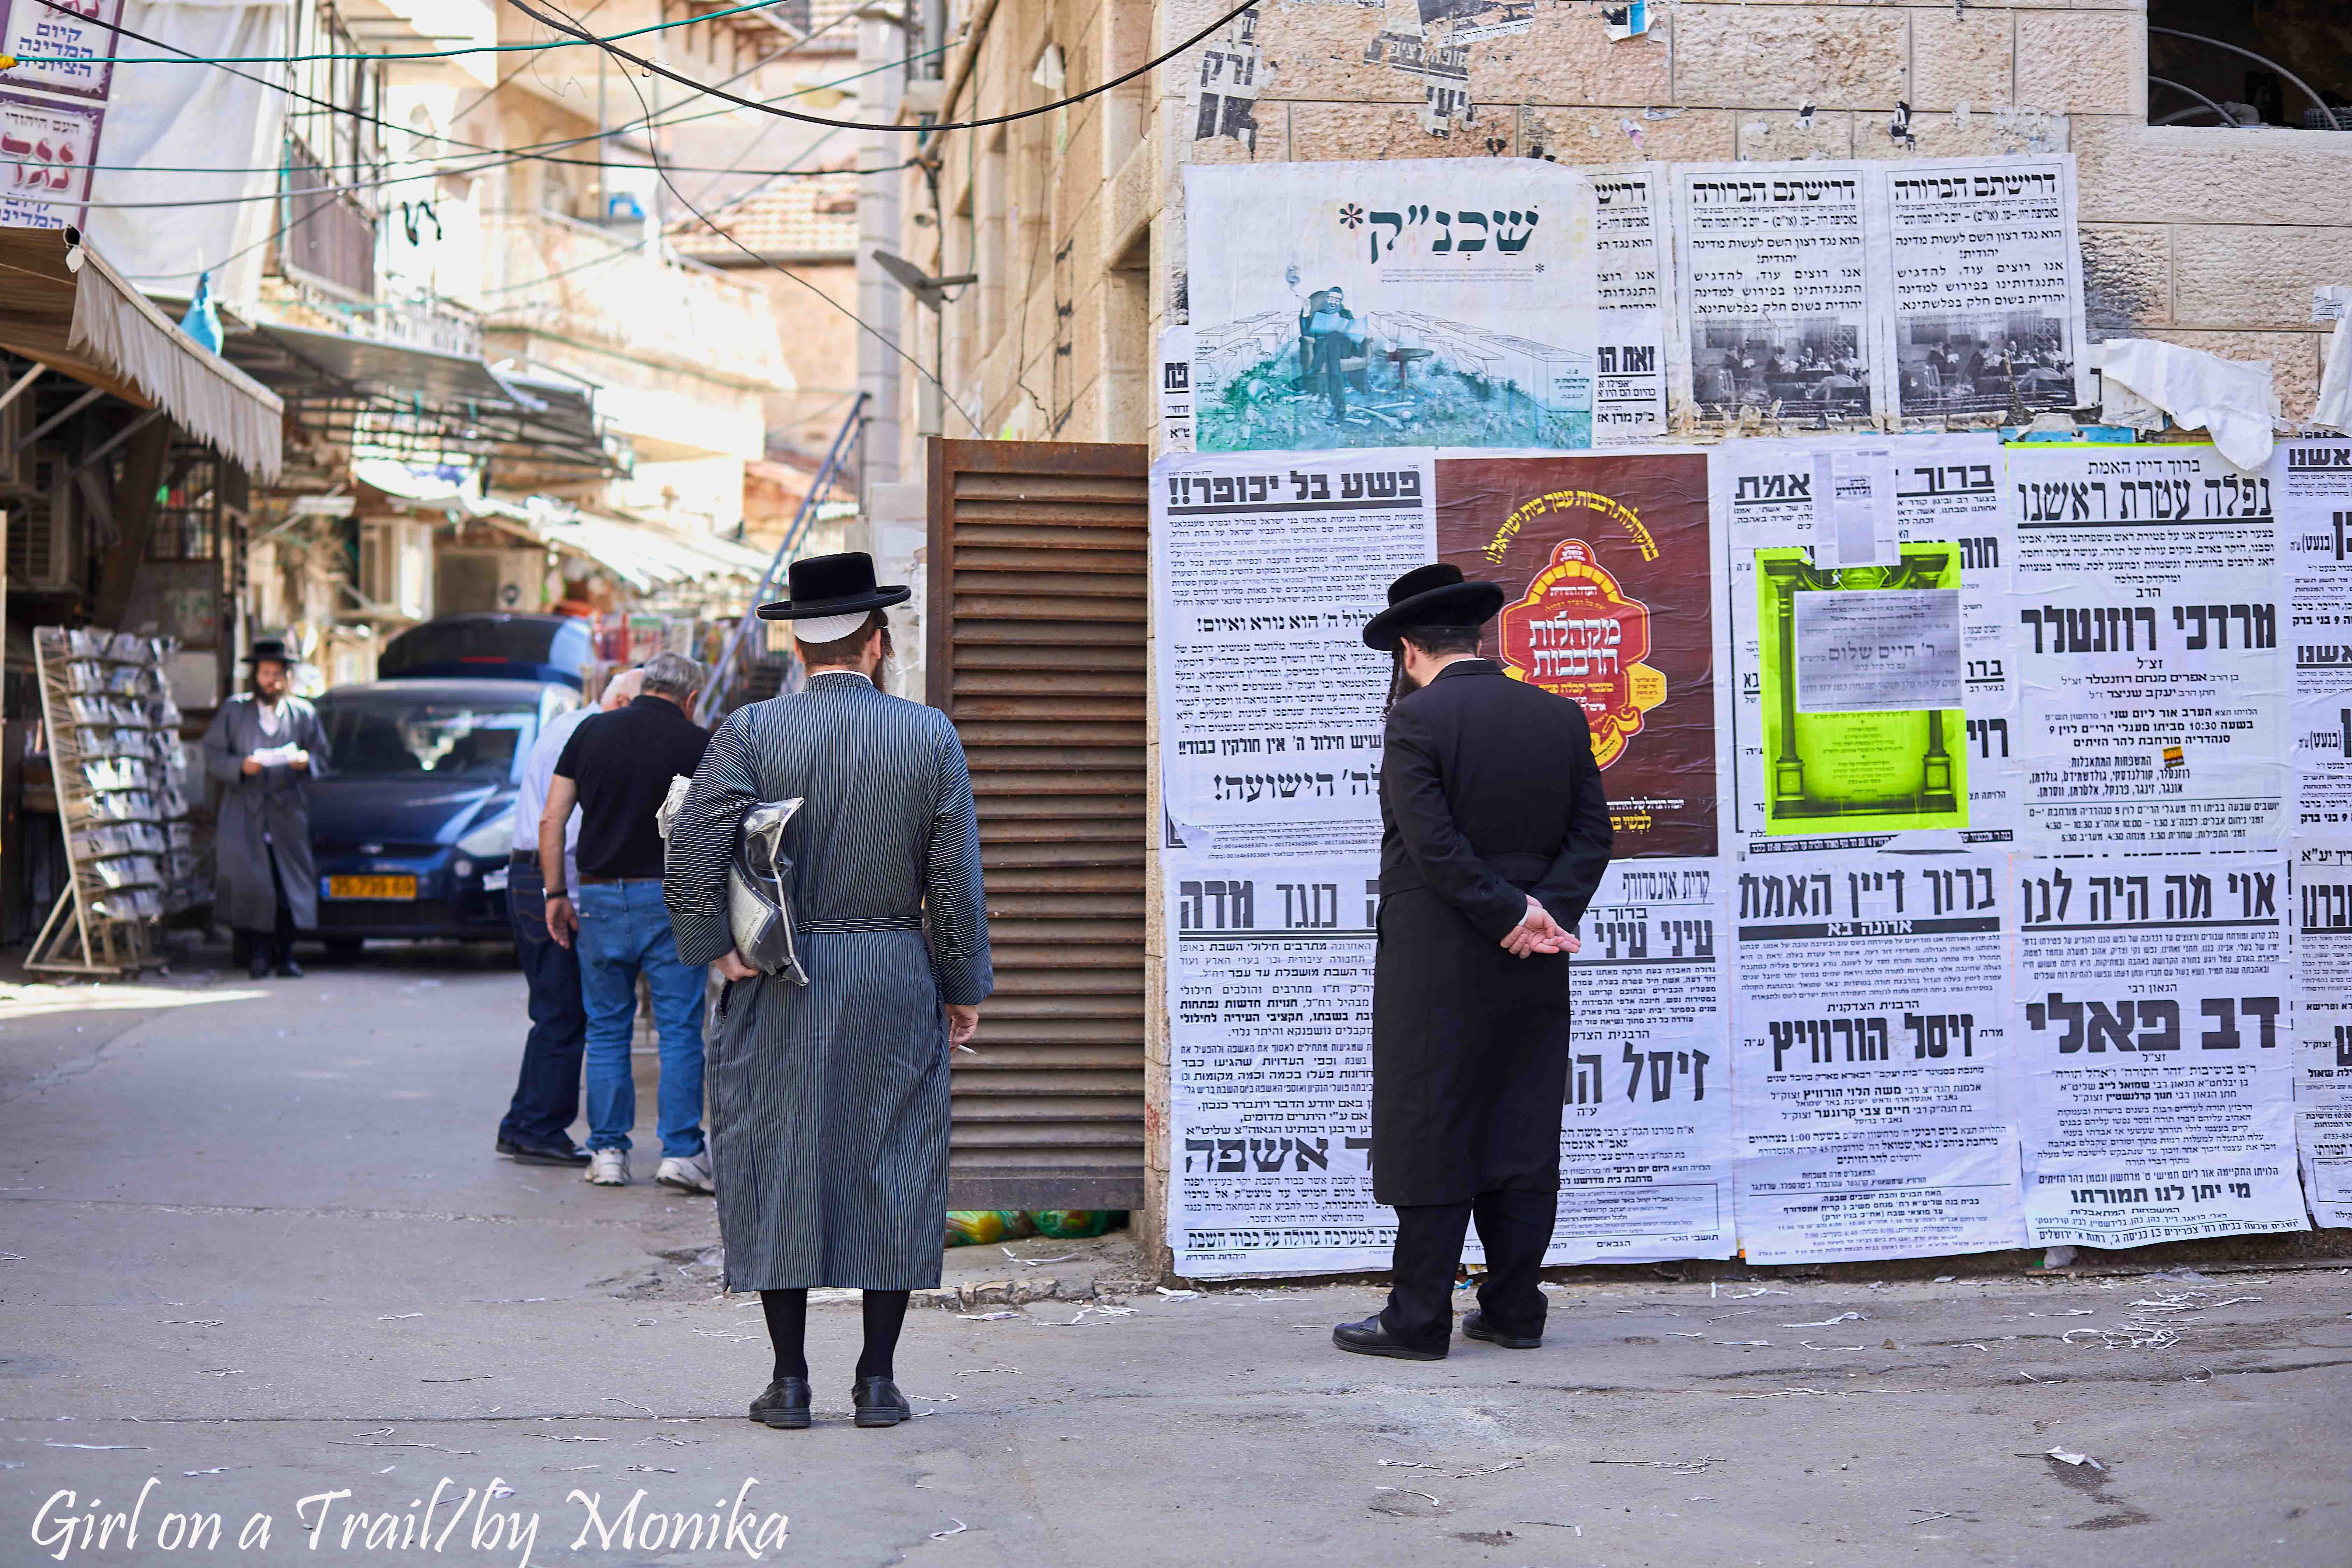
(415, 817)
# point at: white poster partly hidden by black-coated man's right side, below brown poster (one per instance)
(1645, 1146)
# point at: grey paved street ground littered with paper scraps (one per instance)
(258, 1249)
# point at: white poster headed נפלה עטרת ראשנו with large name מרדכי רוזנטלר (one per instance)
(2156, 688)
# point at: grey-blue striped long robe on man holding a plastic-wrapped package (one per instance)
(829, 1104)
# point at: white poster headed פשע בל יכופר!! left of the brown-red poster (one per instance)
(1264, 570)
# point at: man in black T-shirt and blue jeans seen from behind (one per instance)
(617, 768)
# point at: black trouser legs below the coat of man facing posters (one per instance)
(1516, 1226)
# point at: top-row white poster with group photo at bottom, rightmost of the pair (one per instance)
(1986, 293)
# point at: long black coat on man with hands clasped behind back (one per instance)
(1488, 796)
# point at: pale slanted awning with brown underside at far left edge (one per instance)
(65, 307)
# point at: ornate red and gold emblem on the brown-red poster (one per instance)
(1582, 638)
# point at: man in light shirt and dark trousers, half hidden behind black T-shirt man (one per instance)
(537, 1127)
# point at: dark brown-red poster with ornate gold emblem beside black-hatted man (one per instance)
(1608, 568)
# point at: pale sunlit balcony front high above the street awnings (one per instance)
(561, 276)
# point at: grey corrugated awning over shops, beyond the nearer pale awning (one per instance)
(420, 403)
